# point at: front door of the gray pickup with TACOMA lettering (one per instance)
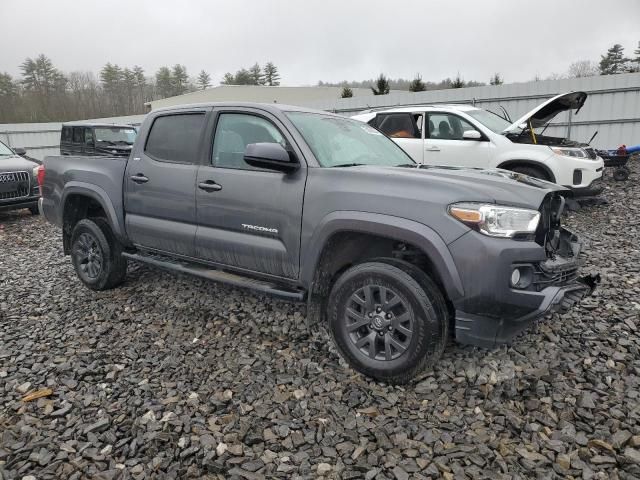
(248, 218)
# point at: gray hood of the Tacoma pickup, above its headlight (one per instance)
(472, 185)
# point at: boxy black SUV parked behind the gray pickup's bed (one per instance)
(96, 139)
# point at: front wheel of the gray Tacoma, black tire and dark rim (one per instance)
(403, 335)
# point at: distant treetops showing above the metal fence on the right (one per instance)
(612, 62)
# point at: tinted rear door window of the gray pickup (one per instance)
(175, 138)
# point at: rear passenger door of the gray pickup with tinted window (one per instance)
(159, 183)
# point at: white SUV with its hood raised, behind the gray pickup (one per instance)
(462, 135)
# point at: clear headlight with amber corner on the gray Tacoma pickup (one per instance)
(496, 220)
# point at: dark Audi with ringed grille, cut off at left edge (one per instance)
(18, 181)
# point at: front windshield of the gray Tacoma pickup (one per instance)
(339, 141)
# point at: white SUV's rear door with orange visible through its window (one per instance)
(406, 130)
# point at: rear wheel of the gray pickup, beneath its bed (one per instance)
(97, 255)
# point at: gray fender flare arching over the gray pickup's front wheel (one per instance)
(388, 226)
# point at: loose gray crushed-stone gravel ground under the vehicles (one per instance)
(172, 377)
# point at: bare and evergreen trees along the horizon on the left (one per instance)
(43, 93)
